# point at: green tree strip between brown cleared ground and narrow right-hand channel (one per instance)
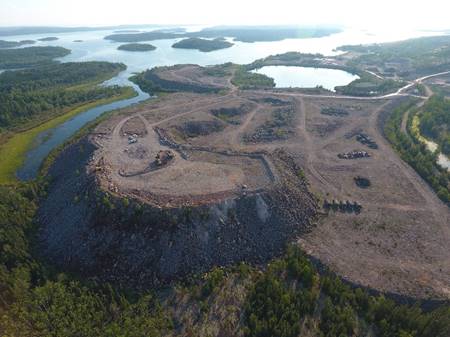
(415, 153)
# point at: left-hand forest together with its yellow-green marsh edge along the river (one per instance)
(35, 100)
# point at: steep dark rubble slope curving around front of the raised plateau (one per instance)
(90, 232)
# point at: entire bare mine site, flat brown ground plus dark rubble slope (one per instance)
(243, 172)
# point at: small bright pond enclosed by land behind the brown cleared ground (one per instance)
(301, 77)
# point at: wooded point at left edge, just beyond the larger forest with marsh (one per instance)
(30, 56)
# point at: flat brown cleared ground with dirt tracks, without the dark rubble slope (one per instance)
(391, 235)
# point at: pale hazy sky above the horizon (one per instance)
(371, 14)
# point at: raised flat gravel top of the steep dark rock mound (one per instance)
(127, 162)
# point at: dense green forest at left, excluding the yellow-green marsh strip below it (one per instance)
(45, 91)
